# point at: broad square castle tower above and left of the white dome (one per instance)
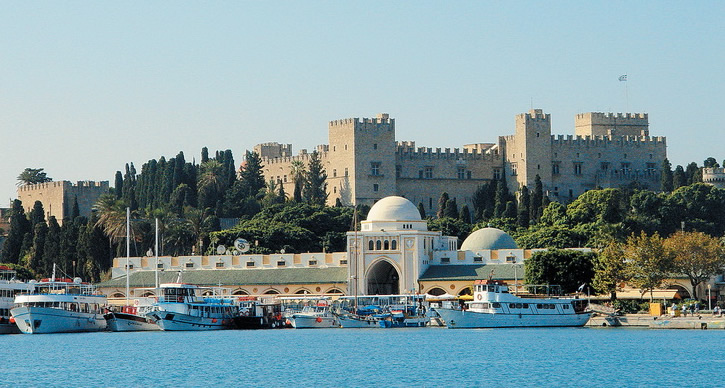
(361, 160)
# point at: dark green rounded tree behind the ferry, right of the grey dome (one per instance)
(567, 268)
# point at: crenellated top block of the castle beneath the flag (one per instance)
(603, 124)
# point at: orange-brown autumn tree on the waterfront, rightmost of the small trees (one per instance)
(696, 255)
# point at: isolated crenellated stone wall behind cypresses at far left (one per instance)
(58, 196)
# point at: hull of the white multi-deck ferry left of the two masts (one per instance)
(43, 320)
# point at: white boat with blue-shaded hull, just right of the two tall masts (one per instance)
(179, 308)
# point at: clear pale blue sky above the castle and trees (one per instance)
(86, 87)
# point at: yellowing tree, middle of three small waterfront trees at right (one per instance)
(648, 262)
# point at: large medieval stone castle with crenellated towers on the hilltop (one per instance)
(365, 163)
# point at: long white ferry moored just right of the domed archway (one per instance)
(493, 306)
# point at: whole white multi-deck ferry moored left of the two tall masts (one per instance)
(59, 306)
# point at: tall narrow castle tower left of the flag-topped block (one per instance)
(528, 151)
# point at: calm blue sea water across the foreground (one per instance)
(426, 357)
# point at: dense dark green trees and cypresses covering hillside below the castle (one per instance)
(191, 201)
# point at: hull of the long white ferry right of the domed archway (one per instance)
(461, 319)
